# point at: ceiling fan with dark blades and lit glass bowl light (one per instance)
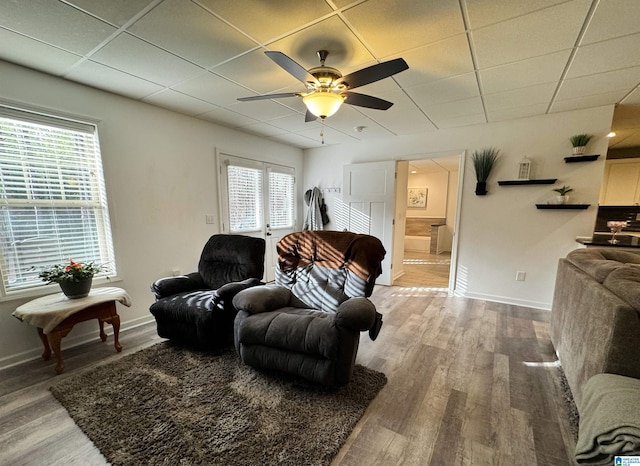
(327, 89)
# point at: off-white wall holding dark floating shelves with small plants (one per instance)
(503, 232)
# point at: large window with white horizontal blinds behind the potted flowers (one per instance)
(53, 203)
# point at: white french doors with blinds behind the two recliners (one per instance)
(257, 199)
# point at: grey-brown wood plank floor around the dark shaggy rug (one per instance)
(469, 383)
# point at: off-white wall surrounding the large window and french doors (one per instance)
(161, 182)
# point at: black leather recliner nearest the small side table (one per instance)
(196, 309)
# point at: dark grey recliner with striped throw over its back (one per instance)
(308, 323)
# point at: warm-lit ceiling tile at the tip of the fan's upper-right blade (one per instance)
(442, 59)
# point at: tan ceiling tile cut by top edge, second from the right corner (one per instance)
(485, 12)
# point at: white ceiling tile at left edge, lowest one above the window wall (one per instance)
(19, 49)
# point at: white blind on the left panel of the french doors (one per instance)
(245, 198)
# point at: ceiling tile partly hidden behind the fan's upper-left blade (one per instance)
(258, 72)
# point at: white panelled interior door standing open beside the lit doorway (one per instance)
(369, 201)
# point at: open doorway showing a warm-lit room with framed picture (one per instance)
(427, 195)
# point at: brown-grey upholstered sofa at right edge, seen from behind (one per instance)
(595, 319)
